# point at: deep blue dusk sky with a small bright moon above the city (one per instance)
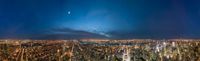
(118, 19)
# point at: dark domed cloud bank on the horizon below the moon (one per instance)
(66, 33)
